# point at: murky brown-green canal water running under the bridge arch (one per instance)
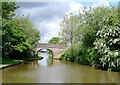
(49, 70)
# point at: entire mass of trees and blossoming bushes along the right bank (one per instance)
(98, 31)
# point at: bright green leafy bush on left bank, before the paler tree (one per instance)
(13, 37)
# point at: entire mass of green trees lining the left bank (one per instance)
(19, 35)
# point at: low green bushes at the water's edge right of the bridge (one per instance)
(81, 54)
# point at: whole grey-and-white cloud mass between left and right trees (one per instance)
(46, 17)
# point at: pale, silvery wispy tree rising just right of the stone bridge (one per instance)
(68, 29)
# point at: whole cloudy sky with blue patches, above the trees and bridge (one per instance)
(47, 15)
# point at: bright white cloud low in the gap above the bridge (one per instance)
(51, 29)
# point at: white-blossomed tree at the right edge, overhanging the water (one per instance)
(108, 40)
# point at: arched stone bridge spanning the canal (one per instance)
(55, 48)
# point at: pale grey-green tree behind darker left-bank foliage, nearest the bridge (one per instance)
(31, 33)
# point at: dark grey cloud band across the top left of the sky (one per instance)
(46, 11)
